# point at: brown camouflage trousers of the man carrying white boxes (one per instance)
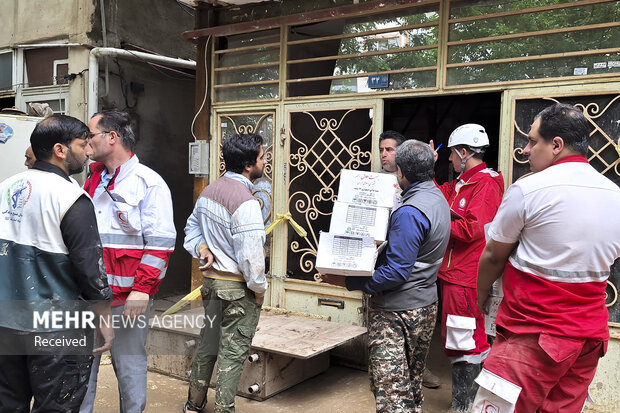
(398, 342)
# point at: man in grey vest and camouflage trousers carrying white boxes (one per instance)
(403, 306)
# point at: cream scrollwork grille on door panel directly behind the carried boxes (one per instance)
(322, 143)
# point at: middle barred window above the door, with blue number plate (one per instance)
(341, 56)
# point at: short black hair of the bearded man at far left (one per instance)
(55, 129)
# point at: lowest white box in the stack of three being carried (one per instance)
(341, 254)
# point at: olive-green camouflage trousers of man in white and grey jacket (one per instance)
(233, 307)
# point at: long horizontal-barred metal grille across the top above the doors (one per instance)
(416, 45)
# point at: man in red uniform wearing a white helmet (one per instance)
(474, 197)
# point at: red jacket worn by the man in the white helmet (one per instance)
(474, 197)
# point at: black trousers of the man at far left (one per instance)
(57, 380)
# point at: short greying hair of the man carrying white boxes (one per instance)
(416, 160)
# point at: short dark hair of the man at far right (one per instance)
(567, 122)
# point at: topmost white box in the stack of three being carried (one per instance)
(367, 188)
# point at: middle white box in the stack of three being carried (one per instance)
(360, 220)
